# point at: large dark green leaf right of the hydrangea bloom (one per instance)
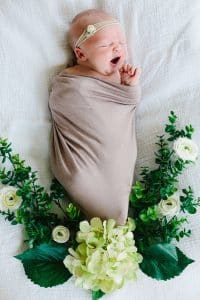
(164, 261)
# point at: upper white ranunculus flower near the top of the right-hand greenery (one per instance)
(186, 149)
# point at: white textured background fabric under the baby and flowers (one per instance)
(164, 40)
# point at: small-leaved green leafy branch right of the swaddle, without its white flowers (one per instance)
(161, 183)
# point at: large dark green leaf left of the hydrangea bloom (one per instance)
(44, 266)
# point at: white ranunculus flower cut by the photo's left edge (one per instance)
(8, 199)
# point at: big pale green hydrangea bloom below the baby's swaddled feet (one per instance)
(106, 256)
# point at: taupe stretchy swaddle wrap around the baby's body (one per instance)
(93, 142)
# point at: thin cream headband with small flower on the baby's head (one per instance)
(92, 29)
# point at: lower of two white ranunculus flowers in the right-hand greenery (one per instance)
(170, 207)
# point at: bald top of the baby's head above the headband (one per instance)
(82, 20)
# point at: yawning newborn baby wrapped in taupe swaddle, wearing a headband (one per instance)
(93, 111)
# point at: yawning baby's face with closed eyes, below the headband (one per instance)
(105, 52)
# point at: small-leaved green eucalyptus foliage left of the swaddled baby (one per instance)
(36, 211)
